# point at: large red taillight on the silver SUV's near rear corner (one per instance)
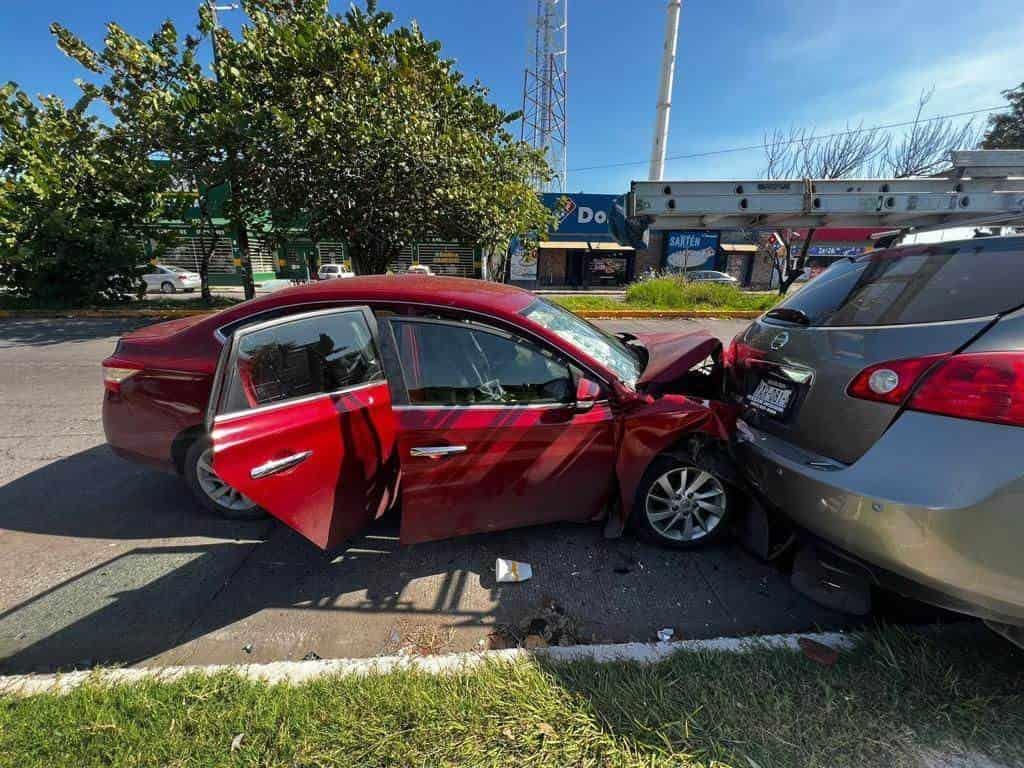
(982, 387)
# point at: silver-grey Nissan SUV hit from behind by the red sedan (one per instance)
(884, 416)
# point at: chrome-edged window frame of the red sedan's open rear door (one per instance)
(230, 352)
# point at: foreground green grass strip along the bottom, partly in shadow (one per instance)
(881, 705)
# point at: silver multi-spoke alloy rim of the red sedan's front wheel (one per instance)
(686, 504)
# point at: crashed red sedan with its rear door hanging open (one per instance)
(471, 406)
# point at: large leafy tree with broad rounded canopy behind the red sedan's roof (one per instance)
(375, 137)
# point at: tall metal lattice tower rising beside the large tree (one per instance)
(545, 89)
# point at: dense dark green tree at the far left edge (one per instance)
(76, 201)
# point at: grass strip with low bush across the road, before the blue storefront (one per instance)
(675, 293)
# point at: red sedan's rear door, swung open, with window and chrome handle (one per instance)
(302, 422)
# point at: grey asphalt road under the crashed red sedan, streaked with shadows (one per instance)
(106, 562)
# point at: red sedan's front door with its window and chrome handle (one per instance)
(491, 438)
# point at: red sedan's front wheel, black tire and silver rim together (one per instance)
(684, 519)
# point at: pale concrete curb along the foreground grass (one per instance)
(300, 672)
